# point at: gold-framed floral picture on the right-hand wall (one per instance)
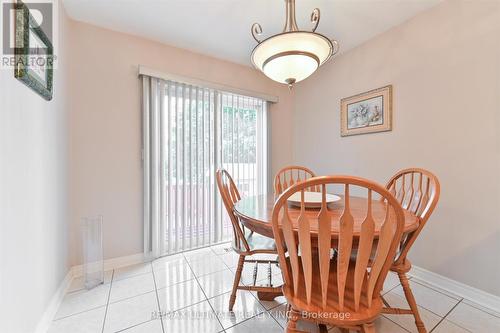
(368, 112)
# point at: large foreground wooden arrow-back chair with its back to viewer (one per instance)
(325, 286)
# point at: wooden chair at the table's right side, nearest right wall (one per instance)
(418, 191)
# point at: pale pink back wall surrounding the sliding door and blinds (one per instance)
(105, 125)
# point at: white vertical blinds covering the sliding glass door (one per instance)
(190, 132)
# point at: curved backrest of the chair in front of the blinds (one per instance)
(230, 195)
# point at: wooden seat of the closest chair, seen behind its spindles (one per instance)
(332, 313)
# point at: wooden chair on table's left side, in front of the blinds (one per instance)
(246, 243)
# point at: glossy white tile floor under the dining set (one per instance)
(193, 288)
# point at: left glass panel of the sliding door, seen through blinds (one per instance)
(188, 161)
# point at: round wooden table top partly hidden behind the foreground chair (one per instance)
(255, 213)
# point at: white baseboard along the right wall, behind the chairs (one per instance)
(467, 292)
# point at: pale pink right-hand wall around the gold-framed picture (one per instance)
(444, 65)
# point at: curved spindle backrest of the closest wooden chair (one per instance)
(301, 230)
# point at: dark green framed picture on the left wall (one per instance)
(34, 53)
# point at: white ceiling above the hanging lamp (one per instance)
(221, 28)
